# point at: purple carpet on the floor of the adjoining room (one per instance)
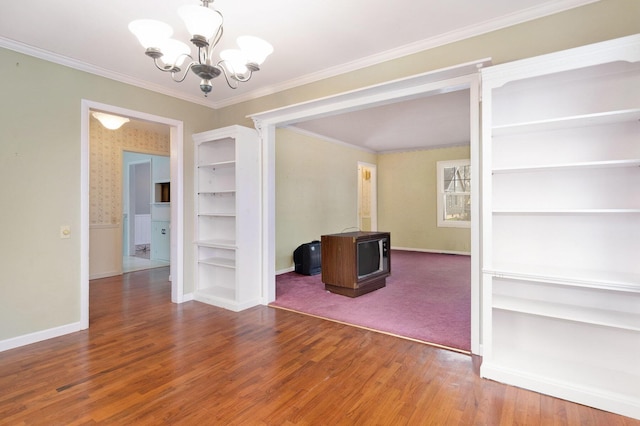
(427, 298)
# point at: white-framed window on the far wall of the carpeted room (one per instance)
(454, 193)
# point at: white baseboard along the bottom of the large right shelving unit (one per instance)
(625, 405)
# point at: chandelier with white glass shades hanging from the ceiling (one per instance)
(205, 25)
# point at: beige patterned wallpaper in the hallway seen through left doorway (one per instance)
(105, 166)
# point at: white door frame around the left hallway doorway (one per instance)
(176, 136)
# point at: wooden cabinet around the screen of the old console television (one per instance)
(340, 263)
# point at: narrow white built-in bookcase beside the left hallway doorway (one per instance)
(227, 218)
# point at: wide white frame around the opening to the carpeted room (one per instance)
(459, 77)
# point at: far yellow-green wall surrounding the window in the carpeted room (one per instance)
(407, 201)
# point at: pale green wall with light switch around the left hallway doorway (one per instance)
(40, 162)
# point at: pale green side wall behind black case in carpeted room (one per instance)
(316, 190)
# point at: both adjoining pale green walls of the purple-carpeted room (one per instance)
(316, 194)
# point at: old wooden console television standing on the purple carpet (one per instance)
(355, 263)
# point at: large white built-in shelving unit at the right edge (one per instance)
(561, 224)
